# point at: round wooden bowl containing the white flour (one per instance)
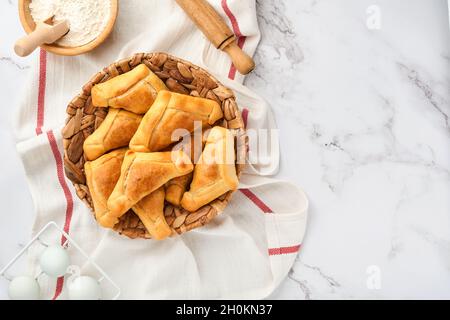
(29, 25)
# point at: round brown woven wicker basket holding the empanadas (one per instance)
(179, 76)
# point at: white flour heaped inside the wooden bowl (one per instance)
(87, 18)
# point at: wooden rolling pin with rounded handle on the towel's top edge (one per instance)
(218, 32)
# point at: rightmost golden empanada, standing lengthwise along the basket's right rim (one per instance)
(215, 172)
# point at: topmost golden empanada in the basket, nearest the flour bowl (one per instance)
(134, 90)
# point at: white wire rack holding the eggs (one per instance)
(70, 241)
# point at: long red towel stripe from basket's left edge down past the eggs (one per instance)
(67, 195)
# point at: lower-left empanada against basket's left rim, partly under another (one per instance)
(101, 177)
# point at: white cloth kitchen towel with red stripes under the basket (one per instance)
(243, 253)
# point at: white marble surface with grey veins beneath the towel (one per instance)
(365, 131)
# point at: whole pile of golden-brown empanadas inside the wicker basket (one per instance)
(136, 160)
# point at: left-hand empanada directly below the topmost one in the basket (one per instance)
(115, 131)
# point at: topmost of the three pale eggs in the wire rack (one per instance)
(54, 261)
